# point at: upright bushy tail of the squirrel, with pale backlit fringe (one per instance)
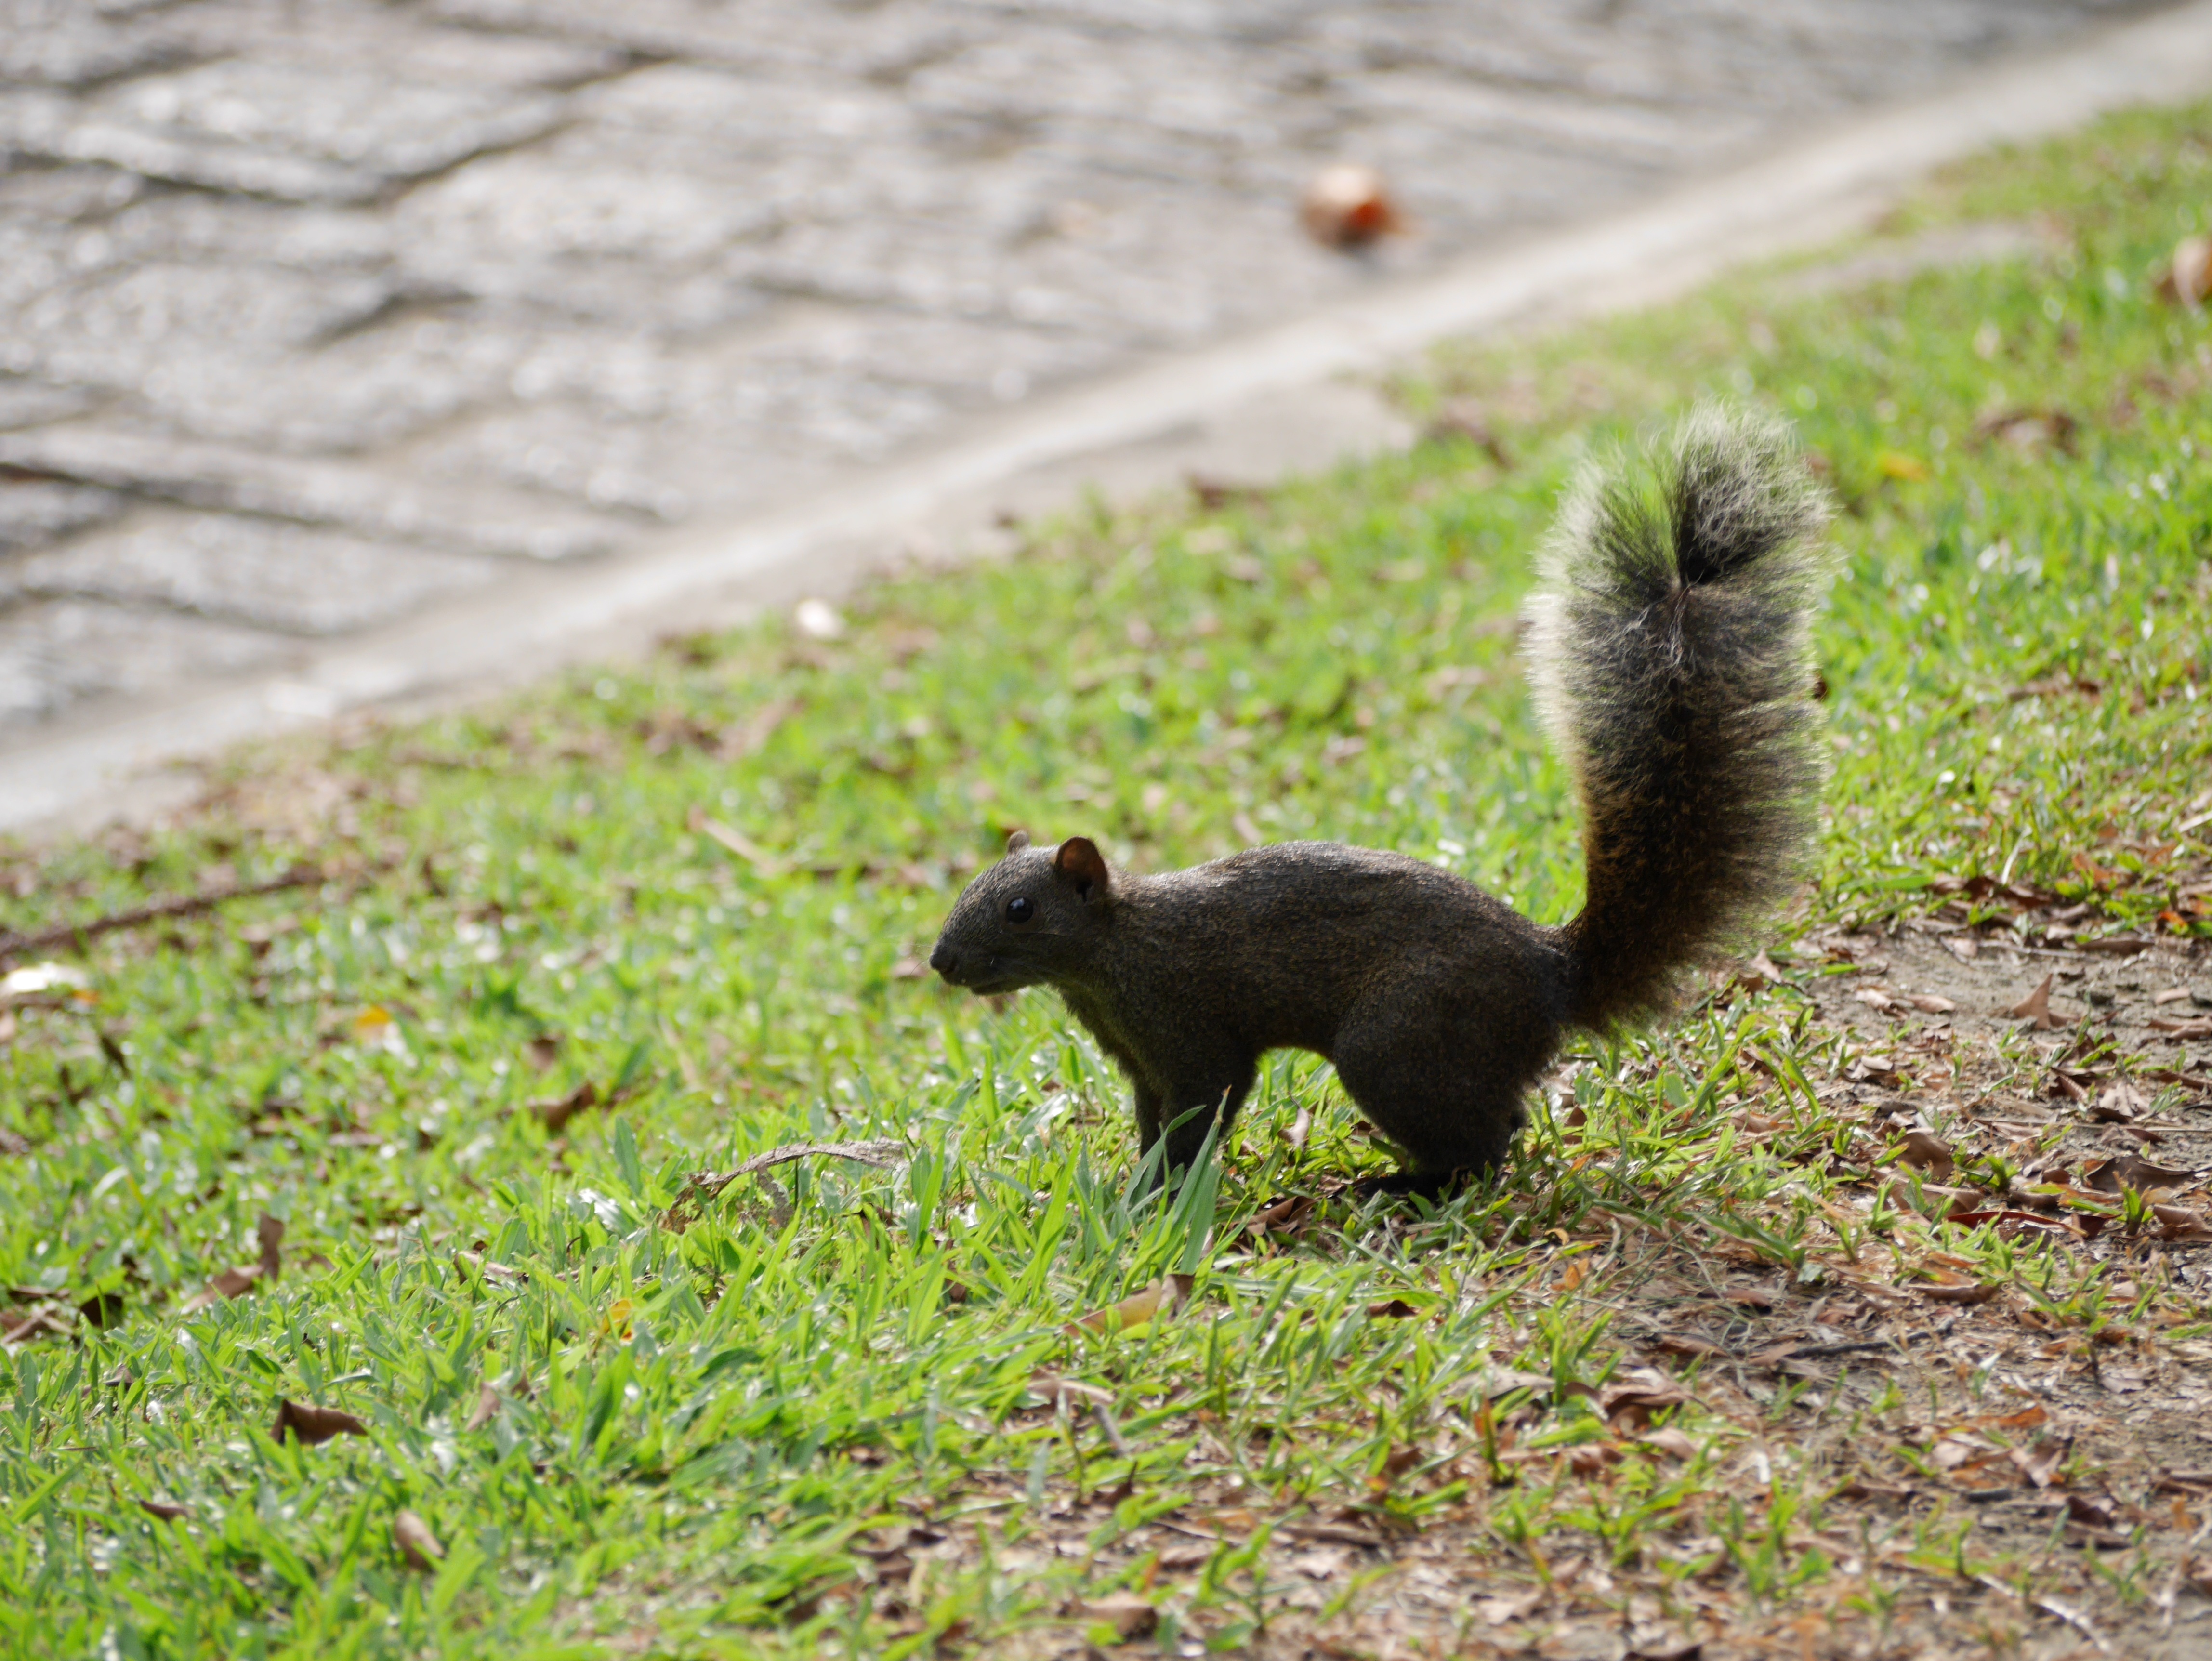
(1671, 658)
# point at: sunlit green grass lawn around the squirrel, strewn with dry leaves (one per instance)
(705, 1410)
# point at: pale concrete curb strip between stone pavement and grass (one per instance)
(1273, 401)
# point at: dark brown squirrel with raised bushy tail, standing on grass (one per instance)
(1669, 649)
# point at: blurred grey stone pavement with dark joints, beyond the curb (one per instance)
(317, 313)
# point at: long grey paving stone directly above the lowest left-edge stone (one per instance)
(251, 572)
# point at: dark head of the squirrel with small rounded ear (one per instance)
(1030, 919)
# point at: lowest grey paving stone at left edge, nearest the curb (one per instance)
(61, 654)
